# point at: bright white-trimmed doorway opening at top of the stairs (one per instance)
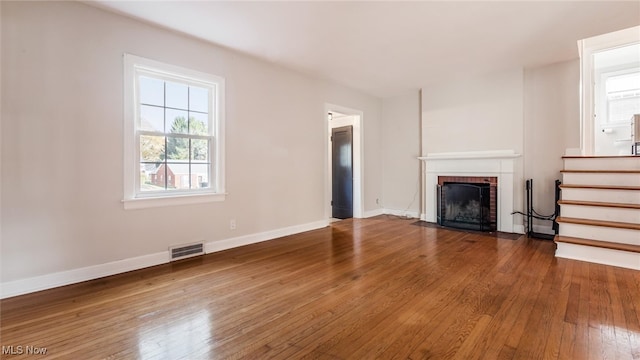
(610, 92)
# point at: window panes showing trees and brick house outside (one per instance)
(175, 135)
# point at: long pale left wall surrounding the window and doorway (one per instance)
(62, 142)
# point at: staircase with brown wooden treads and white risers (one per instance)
(600, 210)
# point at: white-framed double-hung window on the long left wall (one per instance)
(174, 143)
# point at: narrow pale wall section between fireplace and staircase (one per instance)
(552, 124)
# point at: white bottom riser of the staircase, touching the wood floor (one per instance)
(626, 259)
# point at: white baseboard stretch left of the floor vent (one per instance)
(62, 278)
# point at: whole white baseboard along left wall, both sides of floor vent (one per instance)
(62, 278)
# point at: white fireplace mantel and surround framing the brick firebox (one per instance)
(475, 163)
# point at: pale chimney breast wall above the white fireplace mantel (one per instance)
(477, 114)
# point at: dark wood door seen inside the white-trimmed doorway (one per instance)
(342, 172)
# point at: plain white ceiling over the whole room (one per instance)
(386, 48)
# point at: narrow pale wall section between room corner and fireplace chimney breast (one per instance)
(400, 151)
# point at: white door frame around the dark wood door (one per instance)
(355, 120)
